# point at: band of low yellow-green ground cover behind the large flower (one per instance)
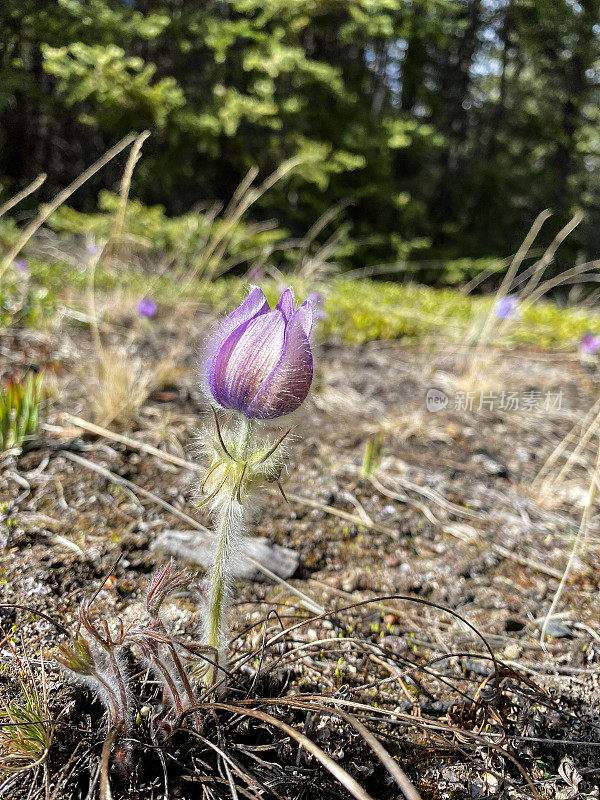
(355, 310)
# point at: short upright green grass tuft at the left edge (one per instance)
(19, 410)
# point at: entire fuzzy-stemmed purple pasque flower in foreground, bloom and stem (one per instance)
(260, 364)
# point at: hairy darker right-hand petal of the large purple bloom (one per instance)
(287, 386)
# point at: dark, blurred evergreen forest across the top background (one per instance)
(430, 129)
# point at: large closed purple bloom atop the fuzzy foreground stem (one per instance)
(260, 361)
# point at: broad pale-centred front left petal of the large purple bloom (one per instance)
(246, 359)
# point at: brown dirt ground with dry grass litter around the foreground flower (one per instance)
(448, 516)
